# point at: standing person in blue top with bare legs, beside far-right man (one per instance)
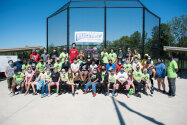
(160, 74)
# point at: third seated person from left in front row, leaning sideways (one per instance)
(37, 80)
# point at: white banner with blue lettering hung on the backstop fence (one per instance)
(88, 36)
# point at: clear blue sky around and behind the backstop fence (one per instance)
(23, 22)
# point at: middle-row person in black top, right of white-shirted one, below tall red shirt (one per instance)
(84, 68)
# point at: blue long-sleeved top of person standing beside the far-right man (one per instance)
(160, 70)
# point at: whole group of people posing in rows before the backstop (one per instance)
(122, 72)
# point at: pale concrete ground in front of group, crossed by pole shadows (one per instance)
(99, 110)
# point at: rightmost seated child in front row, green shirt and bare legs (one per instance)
(146, 81)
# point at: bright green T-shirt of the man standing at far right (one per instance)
(171, 73)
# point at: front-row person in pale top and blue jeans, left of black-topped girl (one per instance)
(47, 77)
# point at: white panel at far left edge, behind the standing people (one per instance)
(4, 61)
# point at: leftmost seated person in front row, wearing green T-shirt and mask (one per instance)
(18, 79)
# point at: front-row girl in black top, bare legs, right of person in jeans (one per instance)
(54, 80)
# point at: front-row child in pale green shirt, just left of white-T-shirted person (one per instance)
(111, 81)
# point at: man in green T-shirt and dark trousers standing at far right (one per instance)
(172, 69)
